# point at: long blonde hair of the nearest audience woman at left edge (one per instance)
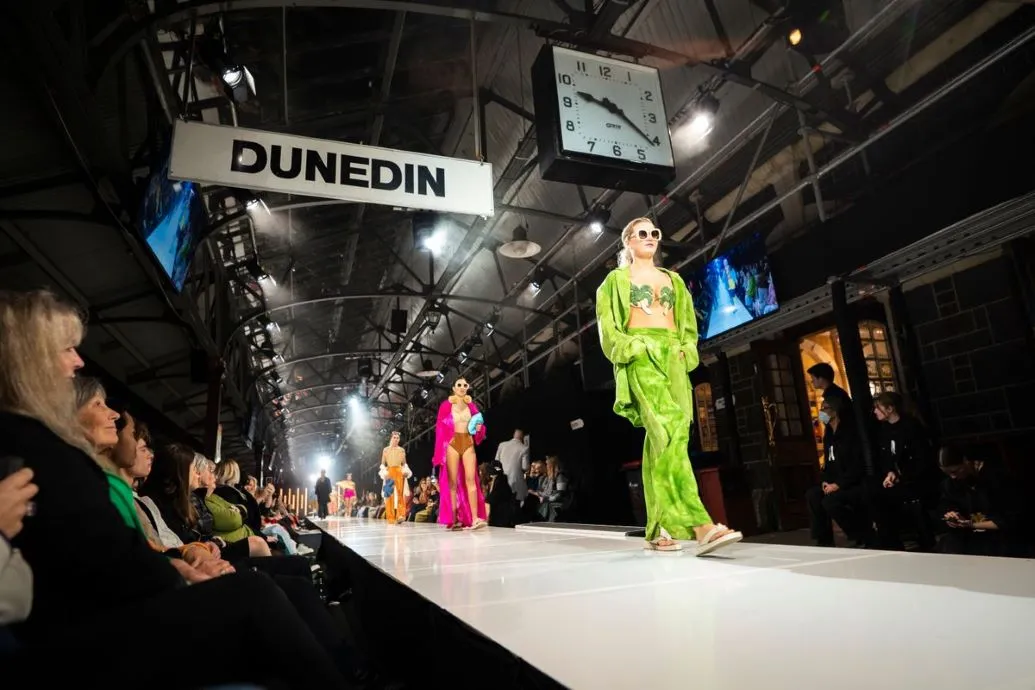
(36, 328)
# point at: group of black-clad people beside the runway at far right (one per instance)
(972, 504)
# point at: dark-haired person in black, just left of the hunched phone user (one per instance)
(907, 472)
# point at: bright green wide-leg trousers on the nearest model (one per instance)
(662, 393)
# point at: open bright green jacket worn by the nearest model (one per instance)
(622, 349)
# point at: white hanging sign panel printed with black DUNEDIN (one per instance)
(271, 162)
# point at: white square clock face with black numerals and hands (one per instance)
(611, 109)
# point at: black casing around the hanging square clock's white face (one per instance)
(559, 166)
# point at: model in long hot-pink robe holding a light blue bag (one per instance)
(459, 429)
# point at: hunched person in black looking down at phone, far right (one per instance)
(981, 508)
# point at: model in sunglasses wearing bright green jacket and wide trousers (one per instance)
(649, 333)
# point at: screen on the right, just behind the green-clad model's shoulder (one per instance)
(733, 289)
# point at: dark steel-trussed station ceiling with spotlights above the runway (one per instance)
(291, 299)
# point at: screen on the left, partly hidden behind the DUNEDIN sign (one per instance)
(171, 219)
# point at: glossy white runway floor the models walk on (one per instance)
(599, 612)
